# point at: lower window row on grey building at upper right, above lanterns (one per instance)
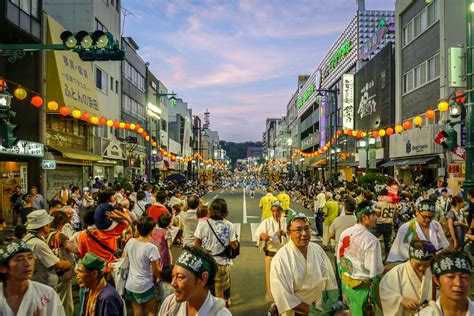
(421, 75)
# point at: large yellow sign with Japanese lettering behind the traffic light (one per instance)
(70, 81)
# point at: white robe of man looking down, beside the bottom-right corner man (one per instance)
(402, 282)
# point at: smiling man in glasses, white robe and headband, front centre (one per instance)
(302, 280)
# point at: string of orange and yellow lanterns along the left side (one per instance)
(21, 93)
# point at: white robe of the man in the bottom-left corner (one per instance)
(38, 300)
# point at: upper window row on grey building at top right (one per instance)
(421, 22)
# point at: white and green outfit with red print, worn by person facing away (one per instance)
(359, 259)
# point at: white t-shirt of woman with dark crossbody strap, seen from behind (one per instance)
(224, 230)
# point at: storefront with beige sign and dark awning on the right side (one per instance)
(414, 156)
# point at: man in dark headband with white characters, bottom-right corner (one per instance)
(452, 273)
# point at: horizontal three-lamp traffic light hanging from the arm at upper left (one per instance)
(98, 45)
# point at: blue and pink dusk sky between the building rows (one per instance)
(239, 59)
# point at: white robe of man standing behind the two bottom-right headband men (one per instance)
(412, 230)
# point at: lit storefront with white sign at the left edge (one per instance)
(18, 166)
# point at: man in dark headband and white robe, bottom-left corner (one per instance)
(18, 294)
